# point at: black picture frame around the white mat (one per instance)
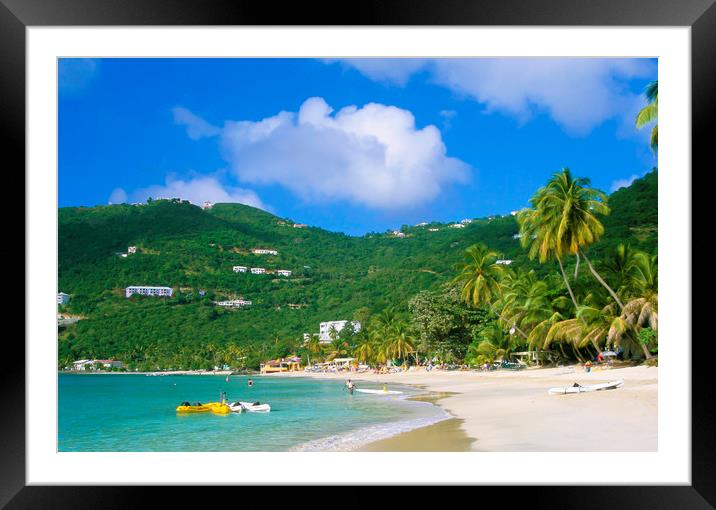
(700, 15)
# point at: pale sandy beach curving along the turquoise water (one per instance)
(512, 411)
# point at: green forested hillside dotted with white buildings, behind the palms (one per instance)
(334, 276)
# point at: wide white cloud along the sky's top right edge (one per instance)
(578, 93)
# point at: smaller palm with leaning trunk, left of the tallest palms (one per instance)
(479, 280)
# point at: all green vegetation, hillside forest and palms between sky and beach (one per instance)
(573, 286)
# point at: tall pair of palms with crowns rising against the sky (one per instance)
(563, 221)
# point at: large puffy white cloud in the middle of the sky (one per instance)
(373, 156)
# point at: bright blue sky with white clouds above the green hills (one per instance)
(350, 145)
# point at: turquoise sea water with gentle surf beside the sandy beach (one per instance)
(136, 413)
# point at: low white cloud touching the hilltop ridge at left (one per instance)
(199, 189)
